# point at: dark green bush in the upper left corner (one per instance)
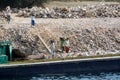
(21, 3)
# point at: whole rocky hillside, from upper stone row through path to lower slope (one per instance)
(92, 30)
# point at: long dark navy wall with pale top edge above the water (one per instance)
(61, 67)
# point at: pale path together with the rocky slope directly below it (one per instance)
(88, 36)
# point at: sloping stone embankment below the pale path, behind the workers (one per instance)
(92, 41)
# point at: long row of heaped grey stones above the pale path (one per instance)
(108, 10)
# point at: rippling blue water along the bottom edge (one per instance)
(88, 76)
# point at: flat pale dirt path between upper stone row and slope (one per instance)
(65, 23)
